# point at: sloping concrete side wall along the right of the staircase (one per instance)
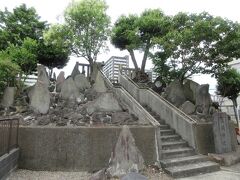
(198, 136)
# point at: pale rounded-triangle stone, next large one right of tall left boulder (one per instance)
(69, 91)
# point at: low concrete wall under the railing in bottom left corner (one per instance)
(8, 162)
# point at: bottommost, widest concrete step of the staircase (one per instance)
(192, 169)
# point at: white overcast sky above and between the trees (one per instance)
(52, 11)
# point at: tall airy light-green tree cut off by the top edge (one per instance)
(89, 25)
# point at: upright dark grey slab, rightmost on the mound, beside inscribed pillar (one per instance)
(203, 100)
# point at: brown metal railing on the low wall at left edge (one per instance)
(8, 134)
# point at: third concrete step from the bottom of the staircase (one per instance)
(180, 152)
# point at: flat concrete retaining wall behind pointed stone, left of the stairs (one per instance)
(77, 149)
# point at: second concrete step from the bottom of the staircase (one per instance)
(183, 160)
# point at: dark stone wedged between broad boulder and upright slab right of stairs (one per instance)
(190, 90)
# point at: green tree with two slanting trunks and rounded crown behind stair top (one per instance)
(139, 33)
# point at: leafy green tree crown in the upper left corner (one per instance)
(15, 26)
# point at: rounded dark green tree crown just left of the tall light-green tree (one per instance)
(55, 47)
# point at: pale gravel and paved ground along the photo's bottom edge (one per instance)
(226, 173)
